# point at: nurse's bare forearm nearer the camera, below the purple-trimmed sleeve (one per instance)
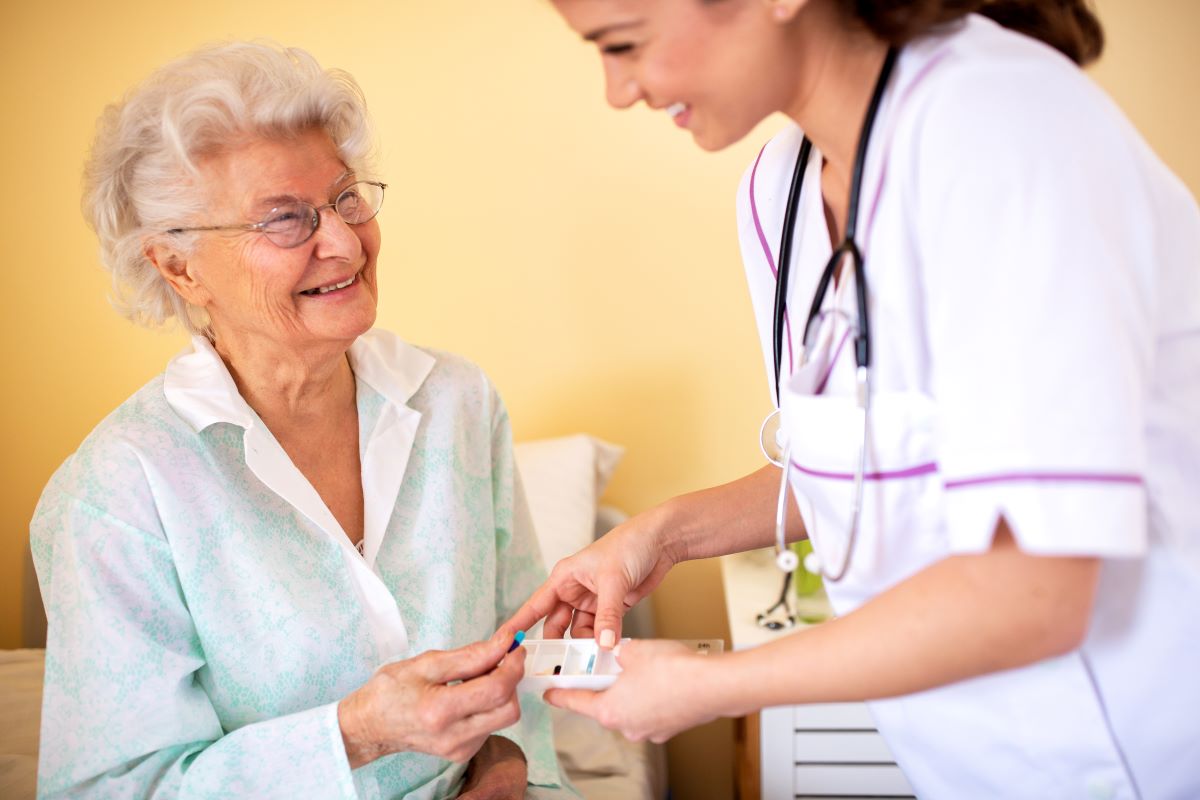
(964, 617)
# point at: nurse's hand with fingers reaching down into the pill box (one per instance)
(590, 592)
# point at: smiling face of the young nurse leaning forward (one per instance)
(718, 68)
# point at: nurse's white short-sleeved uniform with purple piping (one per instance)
(1035, 297)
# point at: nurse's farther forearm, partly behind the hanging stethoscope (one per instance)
(728, 519)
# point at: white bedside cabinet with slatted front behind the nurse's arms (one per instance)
(829, 750)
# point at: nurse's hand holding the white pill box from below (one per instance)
(664, 688)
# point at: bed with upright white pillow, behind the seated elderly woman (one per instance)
(563, 479)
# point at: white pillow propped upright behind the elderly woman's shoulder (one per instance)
(563, 482)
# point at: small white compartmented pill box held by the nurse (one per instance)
(581, 664)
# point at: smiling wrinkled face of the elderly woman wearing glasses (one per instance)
(255, 290)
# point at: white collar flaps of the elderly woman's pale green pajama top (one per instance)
(199, 386)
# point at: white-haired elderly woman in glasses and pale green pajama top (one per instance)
(266, 570)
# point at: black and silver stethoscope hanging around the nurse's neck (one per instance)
(785, 558)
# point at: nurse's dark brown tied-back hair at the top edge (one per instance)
(1069, 26)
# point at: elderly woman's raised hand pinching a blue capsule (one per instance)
(417, 705)
